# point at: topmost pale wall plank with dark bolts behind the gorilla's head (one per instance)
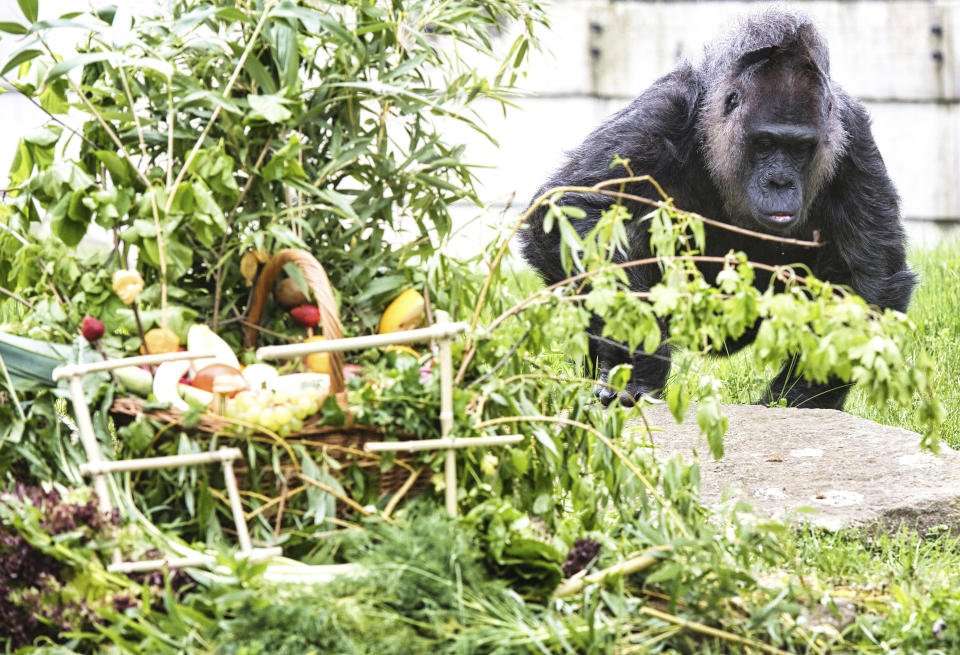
(879, 50)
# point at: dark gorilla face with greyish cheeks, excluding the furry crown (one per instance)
(773, 143)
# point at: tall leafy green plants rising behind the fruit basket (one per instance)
(214, 129)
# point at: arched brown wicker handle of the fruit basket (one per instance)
(319, 284)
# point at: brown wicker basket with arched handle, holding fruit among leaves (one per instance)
(343, 443)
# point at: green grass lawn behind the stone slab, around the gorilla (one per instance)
(935, 309)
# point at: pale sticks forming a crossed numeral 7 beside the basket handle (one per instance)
(443, 331)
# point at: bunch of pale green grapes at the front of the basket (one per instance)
(282, 412)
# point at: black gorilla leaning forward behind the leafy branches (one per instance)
(757, 135)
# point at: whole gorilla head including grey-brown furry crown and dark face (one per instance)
(770, 127)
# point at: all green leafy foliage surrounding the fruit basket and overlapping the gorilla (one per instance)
(315, 130)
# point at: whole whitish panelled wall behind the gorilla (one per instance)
(900, 57)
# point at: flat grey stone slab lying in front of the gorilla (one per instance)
(852, 472)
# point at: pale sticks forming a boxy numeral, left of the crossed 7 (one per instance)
(98, 468)
